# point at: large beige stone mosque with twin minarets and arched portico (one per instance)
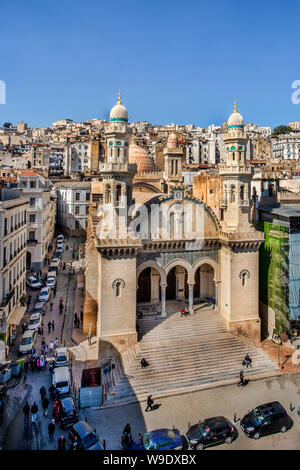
(170, 245)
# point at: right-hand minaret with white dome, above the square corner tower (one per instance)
(236, 177)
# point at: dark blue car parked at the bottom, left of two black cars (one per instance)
(161, 439)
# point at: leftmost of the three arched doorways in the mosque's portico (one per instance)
(148, 285)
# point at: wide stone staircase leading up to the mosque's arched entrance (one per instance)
(186, 354)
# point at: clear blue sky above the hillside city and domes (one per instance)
(174, 61)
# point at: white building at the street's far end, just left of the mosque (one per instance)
(73, 206)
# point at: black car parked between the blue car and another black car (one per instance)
(210, 432)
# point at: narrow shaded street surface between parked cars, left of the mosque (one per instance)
(36, 437)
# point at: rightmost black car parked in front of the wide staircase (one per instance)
(266, 419)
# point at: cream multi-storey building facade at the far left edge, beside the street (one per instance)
(13, 231)
